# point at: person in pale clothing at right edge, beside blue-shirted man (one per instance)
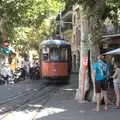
(116, 82)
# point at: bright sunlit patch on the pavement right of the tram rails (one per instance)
(49, 111)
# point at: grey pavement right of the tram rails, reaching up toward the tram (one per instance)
(63, 106)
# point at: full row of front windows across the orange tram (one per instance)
(55, 54)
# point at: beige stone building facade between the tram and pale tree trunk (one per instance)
(71, 30)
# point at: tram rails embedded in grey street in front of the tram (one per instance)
(40, 95)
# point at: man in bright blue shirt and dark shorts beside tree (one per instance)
(99, 76)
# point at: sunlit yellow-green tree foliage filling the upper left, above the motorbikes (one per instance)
(24, 21)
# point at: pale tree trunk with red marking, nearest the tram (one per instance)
(83, 56)
